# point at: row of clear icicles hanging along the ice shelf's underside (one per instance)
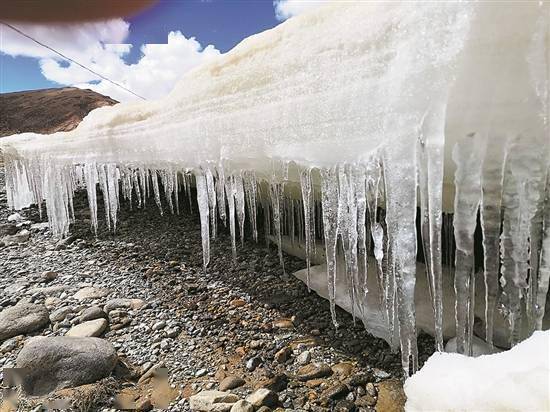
(358, 212)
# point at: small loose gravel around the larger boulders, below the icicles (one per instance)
(244, 319)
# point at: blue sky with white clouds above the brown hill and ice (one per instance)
(191, 31)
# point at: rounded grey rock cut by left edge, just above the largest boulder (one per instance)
(21, 319)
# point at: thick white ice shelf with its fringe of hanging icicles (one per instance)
(337, 125)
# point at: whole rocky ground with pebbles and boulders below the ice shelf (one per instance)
(241, 336)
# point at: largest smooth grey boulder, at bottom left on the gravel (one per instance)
(52, 363)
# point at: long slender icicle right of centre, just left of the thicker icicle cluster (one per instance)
(329, 196)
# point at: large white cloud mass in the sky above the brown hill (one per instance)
(100, 47)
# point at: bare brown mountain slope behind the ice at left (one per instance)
(48, 110)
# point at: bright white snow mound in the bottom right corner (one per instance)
(515, 380)
